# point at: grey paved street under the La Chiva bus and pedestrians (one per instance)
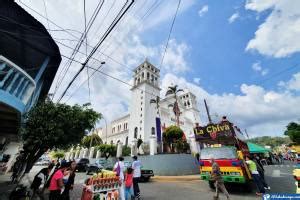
(279, 178)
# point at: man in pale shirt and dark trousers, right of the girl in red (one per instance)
(136, 166)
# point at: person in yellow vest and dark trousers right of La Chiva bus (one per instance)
(256, 177)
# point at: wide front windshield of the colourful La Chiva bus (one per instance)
(218, 153)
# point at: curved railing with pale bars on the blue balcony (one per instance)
(16, 81)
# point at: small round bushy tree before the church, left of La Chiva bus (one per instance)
(172, 134)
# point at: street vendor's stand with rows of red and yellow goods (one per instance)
(102, 186)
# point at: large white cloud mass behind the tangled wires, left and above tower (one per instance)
(124, 44)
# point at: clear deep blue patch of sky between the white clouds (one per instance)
(217, 47)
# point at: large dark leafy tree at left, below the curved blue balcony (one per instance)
(51, 125)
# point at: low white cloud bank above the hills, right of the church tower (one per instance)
(260, 111)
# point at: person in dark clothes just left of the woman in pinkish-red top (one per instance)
(39, 181)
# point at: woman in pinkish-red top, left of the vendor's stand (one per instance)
(56, 182)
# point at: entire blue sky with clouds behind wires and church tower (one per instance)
(228, 52)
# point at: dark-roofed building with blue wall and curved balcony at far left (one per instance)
(29, 60)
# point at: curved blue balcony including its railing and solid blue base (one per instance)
(16, 86)
